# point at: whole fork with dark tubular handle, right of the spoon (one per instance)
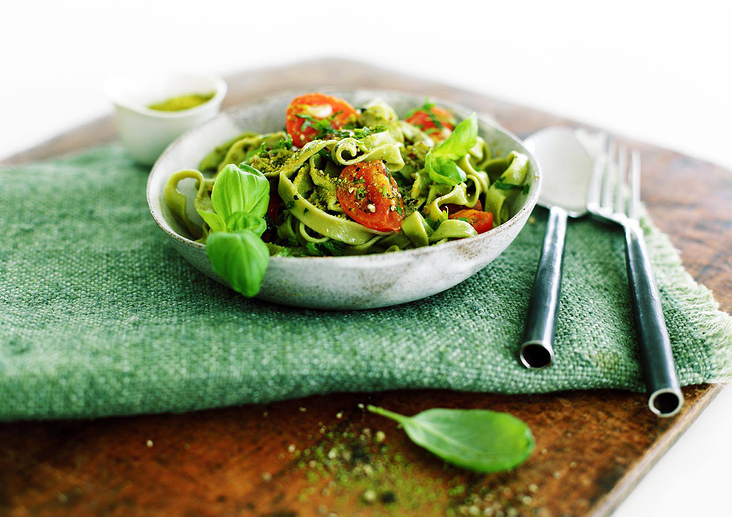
(614, 197)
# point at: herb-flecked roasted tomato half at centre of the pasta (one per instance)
(369, 195)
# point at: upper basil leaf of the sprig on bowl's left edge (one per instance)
(240, 189)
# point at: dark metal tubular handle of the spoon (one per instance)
(537, 349)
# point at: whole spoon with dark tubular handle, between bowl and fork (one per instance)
(566, 167)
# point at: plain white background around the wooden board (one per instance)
(658, 71)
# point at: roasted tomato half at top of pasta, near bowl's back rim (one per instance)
(309, 114)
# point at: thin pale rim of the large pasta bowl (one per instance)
(377, 258)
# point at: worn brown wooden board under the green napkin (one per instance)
(324, 455)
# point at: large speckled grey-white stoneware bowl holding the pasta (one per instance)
(360, 282)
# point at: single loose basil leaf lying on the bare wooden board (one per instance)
(476, 439)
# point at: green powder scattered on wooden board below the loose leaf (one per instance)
(364, 467)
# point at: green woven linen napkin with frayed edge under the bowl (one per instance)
(100, 316)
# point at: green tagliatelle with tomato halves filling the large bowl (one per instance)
(347, 181)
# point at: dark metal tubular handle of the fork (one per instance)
(657, 361)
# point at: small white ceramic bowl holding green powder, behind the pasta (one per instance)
(146, 133)
